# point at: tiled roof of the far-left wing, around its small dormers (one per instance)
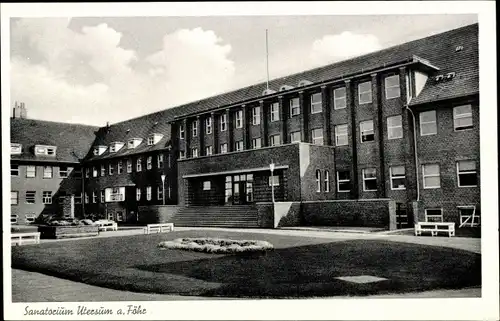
(73, 141)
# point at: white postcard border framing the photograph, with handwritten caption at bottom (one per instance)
(321, 309)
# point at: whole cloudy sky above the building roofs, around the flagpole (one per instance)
(95, 70)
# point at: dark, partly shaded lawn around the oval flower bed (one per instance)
(297, 267)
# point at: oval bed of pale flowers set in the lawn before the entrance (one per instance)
(213, 245)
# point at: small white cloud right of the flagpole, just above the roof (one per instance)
(333, 48)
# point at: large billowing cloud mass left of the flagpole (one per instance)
(88, 77)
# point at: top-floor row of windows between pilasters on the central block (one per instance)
(392, 90)
